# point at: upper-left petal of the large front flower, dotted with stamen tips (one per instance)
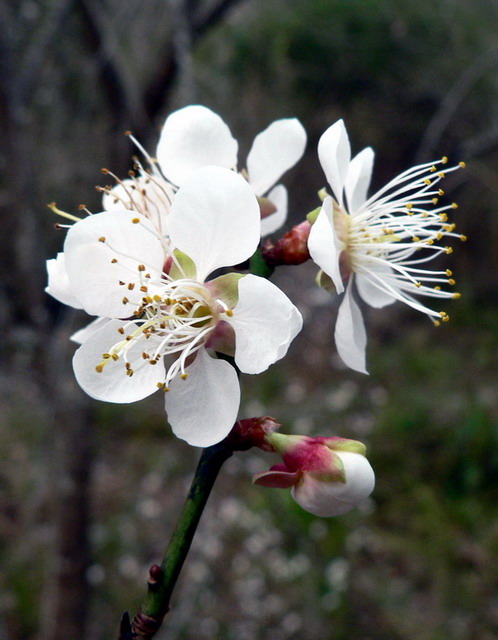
(93, 275)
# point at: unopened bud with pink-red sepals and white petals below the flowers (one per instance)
(327, 476)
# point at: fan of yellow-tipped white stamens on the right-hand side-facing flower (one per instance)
(402, 219)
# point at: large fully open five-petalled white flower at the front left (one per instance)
(164, 315)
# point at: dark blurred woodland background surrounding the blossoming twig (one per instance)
(88, 491)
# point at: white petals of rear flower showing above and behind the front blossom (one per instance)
(195, 136)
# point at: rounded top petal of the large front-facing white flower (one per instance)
(215, 220)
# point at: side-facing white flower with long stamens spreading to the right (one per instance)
(381, 243)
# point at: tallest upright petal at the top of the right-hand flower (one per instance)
(334, 152)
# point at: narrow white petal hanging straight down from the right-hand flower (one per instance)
(350, 334)
